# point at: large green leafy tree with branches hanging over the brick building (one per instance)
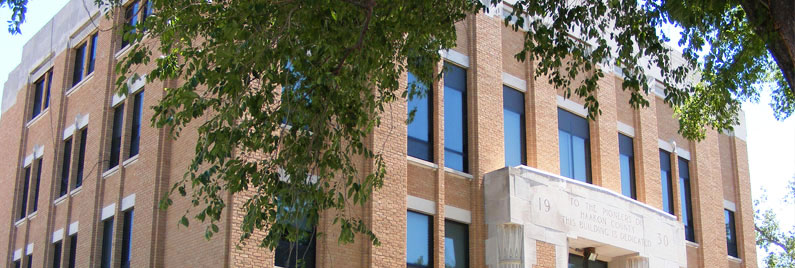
(287, 92)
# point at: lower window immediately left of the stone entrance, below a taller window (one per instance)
(456, 245)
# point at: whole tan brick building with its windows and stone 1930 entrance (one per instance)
(624, 190)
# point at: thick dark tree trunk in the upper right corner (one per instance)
(774, 21)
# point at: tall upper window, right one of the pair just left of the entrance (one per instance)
(455, 118)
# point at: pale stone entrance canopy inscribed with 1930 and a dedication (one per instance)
(535, 217)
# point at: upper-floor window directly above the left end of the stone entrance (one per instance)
(514, 127)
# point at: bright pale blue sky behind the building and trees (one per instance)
(771, 143)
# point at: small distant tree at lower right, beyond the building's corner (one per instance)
(778, 243)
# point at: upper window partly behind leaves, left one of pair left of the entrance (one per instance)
(420, 142)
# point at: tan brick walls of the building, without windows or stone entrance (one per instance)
(718, 165)
